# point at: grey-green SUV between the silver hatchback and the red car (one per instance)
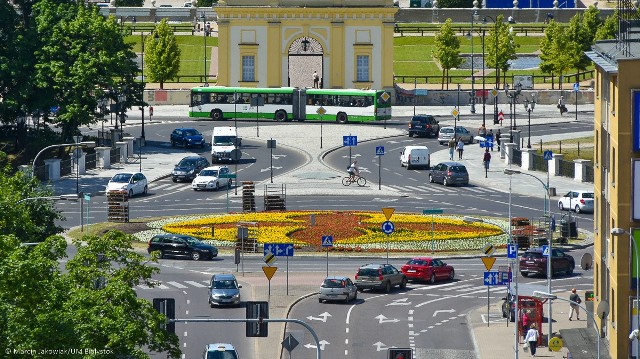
(379, 276)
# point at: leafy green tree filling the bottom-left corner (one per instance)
(92, 304)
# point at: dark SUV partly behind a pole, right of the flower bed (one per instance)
(533, 261)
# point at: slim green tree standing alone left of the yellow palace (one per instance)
(161, 54)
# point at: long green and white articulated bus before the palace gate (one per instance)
(288, 104)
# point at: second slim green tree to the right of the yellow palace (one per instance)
(501, 47)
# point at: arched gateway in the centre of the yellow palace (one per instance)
(305, 57)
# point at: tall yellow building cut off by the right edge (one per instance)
(616, 148)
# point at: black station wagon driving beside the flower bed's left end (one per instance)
(176, 245)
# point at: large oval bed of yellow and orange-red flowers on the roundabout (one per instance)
(351, 231)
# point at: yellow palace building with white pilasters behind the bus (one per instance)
(281, 43)
